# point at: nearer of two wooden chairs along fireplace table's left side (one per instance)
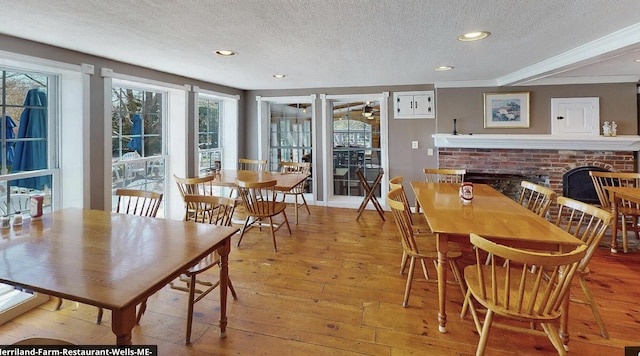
(421, 250)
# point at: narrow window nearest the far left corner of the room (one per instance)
(209, 132)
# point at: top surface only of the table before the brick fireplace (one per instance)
(491, 214)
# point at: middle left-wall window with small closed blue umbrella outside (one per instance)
(138, 139)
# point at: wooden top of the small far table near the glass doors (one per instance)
(286, 181)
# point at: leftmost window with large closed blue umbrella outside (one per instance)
(27, 152)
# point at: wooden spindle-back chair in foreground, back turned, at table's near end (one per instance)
(515, 291)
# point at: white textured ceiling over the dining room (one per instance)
(340, 43)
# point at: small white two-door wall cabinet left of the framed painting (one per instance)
(414, 105)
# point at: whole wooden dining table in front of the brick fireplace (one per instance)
(491, 215)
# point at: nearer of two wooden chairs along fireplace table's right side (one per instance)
(589, 224)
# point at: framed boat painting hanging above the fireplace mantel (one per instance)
(506, 110)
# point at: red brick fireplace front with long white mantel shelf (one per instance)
(542, 159)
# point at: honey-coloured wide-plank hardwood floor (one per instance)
(334, 287)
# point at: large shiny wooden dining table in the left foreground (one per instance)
(109, 260)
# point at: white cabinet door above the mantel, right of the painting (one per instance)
(575, 116)
